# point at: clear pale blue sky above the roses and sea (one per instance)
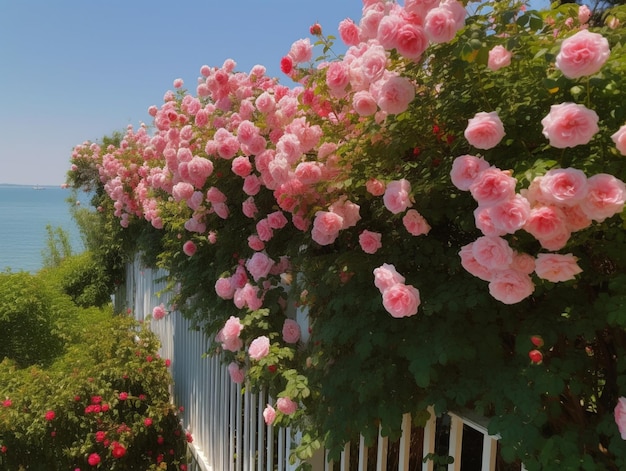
(78, 70)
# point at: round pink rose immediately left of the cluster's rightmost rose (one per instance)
(563, 186)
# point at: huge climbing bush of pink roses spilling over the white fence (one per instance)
(495, 184)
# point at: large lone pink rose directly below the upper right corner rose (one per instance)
(569, 125)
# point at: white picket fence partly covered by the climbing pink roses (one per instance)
(226, 422)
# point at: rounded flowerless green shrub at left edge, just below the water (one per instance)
(28, 311)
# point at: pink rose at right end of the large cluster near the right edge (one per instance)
(605, 197)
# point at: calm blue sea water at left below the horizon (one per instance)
(24, 214)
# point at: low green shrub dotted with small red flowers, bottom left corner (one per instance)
(106, 400)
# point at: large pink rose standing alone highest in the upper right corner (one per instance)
(582, 54)
